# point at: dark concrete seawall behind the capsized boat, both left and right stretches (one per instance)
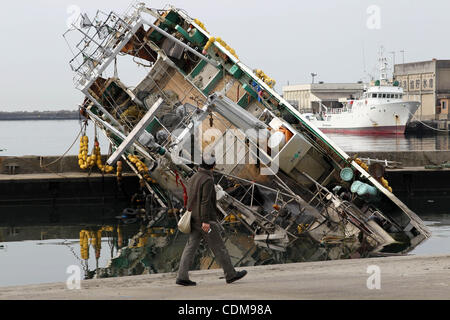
(63, 185)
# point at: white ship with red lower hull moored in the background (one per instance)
(380, 110)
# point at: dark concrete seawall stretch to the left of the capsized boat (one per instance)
(38, 193)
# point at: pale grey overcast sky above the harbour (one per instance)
(287, 39)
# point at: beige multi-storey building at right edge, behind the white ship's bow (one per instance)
(429, 83)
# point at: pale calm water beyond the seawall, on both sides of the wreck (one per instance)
(54, 137)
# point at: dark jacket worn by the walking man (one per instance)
(202, 198)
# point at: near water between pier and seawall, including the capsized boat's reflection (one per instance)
(127, 249)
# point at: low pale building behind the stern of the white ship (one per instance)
(309, 97)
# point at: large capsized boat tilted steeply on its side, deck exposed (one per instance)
(286, 191)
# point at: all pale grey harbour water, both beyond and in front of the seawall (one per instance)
(43, 259)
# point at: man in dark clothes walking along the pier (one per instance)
(204, 225)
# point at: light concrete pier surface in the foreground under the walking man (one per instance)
(406, 277)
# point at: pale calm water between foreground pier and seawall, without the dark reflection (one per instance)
(46, 261)
